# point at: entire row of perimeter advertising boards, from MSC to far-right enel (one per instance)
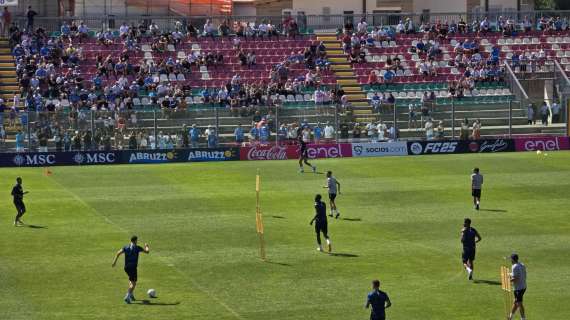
(283, 152)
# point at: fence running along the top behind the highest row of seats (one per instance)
(110, 18)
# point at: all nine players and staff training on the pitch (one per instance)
(376, 299)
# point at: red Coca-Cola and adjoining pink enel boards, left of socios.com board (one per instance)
(284, 152)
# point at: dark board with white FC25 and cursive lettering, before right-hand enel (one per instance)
(461, 146)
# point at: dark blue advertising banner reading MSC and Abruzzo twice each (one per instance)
(43, 159)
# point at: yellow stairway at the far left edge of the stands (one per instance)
(8, 79)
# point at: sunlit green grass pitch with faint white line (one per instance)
(402, 221)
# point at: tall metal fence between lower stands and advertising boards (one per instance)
(163, 129)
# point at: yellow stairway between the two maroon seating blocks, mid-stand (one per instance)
(346, 78)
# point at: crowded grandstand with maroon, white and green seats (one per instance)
(122, 79)
